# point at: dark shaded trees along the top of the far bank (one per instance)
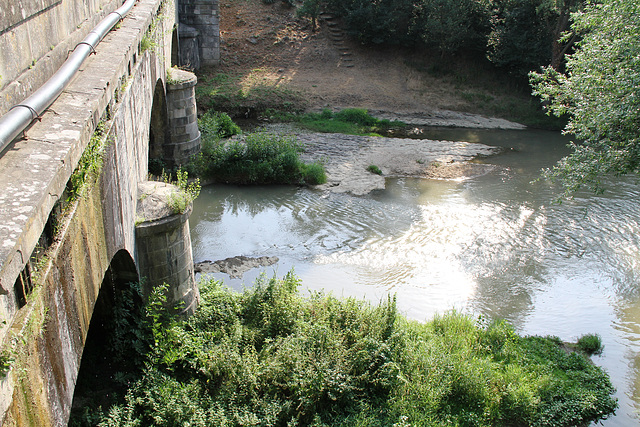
(514, 34)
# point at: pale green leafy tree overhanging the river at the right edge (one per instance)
(600, 95)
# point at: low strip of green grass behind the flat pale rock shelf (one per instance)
(351, 121)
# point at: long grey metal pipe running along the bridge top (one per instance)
(22, 115)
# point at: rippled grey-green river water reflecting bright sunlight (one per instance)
(495, 246)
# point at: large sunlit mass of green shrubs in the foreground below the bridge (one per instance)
(267, 356)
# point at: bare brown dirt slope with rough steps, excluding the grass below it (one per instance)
(268, 44)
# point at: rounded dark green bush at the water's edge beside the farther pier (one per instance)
(257, 158)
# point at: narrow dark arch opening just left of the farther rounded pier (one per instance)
(158, 131)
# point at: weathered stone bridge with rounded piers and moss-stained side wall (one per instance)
(61, 240)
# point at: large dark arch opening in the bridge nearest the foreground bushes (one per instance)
(97, 384)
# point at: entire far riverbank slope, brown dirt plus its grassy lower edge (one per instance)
(272, 59)
